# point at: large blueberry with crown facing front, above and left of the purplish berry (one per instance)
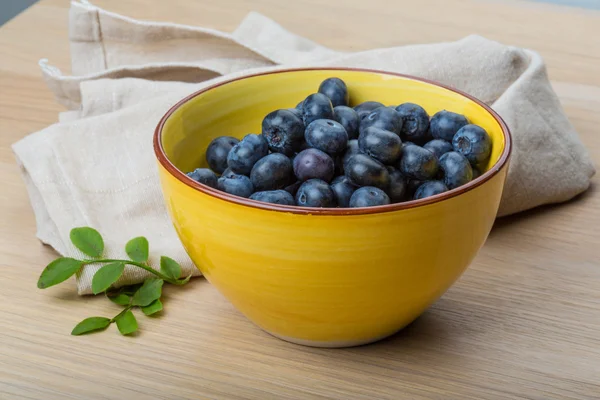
(283, 131)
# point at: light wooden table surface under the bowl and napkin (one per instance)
(523, 321)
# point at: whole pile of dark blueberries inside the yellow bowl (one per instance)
(325, 154)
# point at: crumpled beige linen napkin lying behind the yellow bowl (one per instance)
(96, 166)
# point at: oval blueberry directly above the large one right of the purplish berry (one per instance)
(382, 145)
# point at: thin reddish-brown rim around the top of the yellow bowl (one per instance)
(183, 178)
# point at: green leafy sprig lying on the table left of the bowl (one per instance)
(145, 296)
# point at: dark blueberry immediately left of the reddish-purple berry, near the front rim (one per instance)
(271, 172)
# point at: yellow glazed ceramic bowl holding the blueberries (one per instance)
(324, 277)
